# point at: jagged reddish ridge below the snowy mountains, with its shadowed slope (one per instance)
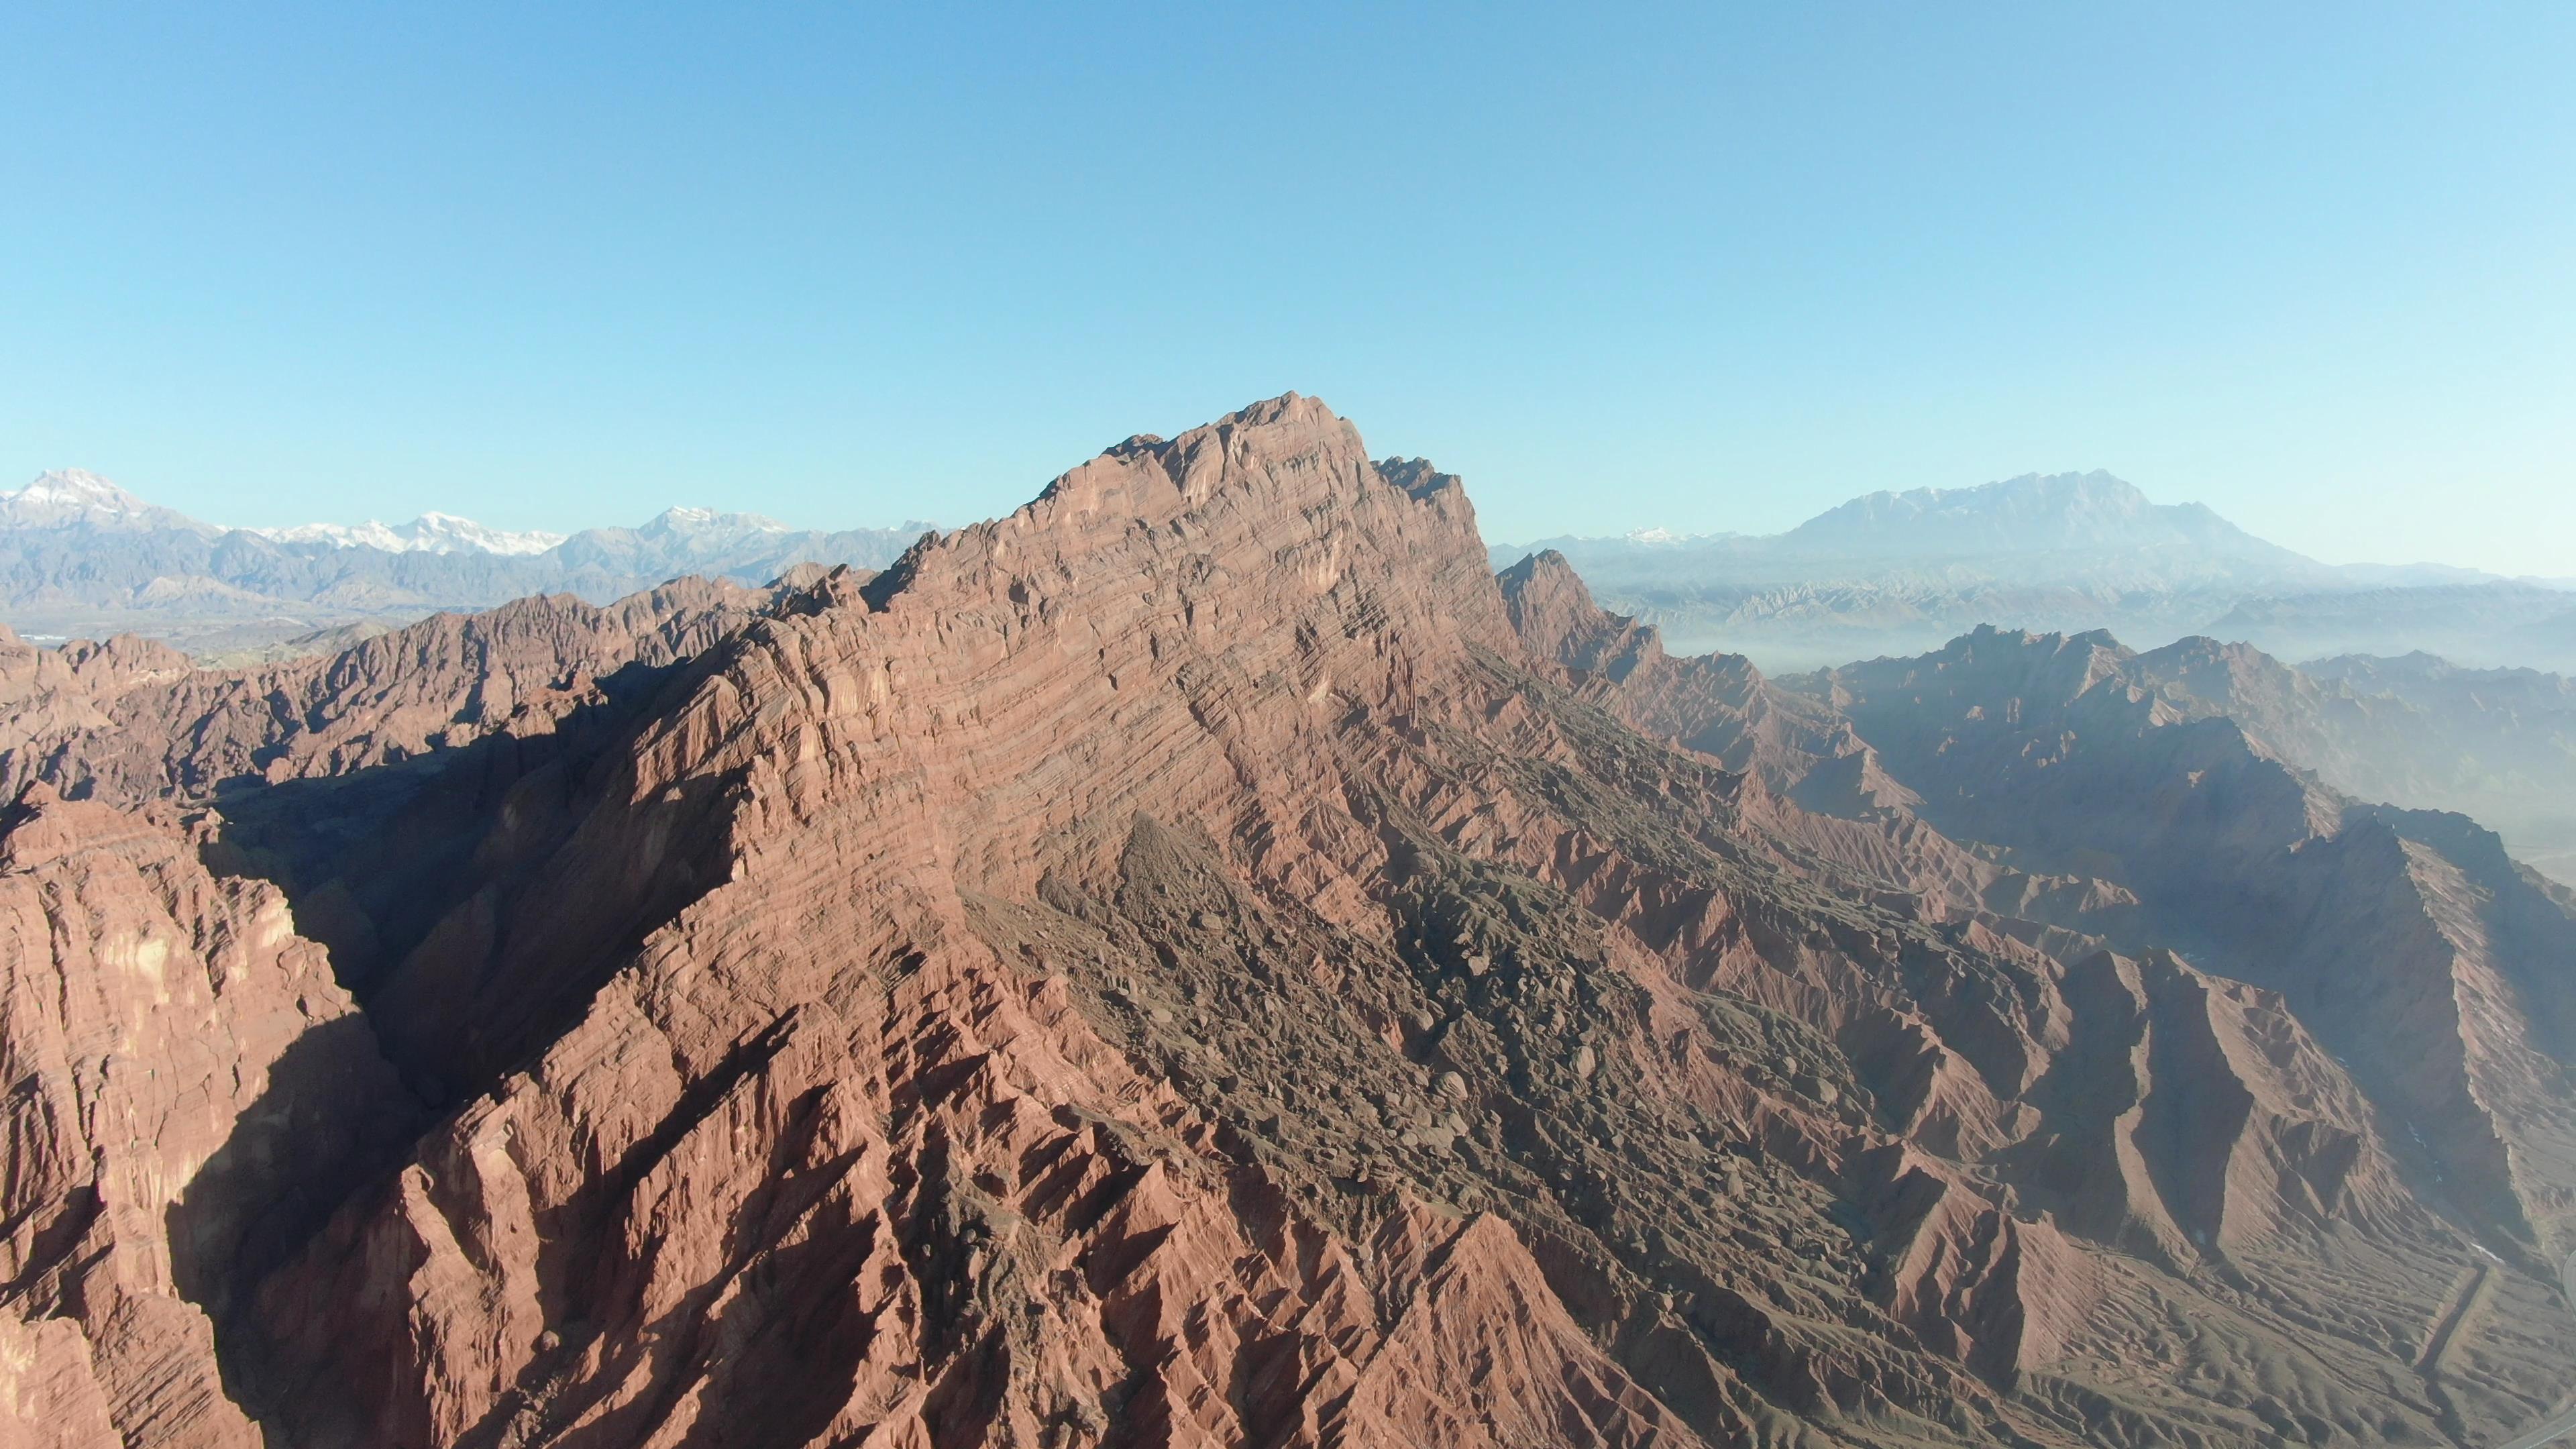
(359, 775)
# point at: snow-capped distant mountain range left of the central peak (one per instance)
(84, 558)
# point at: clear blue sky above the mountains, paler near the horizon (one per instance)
(1714, 267)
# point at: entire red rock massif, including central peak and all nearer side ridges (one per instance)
(1204, 963)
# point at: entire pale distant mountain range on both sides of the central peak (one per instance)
(1889, 574)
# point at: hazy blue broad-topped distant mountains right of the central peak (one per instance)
(1900, 574)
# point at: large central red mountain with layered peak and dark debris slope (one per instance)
(1212, 803)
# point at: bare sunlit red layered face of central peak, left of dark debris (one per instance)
(818, 1097)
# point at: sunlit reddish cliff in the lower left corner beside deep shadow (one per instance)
(187, 1092)
